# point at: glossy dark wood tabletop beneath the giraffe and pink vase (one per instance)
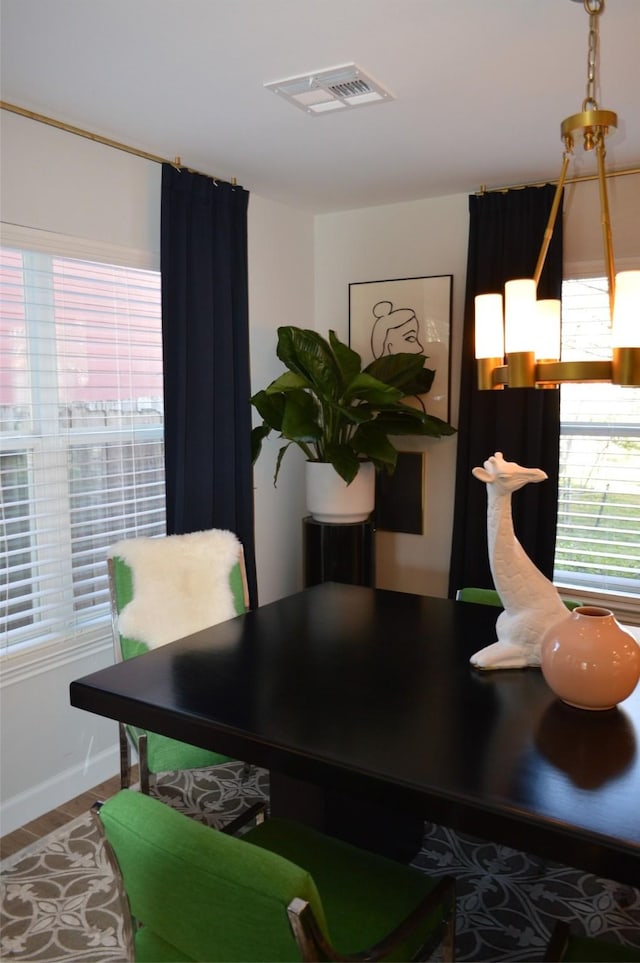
(370, 692)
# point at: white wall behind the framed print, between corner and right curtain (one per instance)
(397, 241)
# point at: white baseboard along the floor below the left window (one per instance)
(45, 796)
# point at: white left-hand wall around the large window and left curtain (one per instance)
(55, 181)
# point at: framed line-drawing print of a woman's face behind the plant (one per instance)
(406, 315)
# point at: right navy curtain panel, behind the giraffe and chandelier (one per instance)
(505, 234)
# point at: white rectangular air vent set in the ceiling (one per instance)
(333, 89)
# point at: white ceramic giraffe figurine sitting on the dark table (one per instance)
(531, 602)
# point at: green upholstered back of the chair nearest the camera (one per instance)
(199, 894)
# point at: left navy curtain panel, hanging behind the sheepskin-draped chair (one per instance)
(205, 321)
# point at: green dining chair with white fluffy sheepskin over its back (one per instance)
(187, 565)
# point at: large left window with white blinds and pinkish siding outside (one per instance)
(81, 436)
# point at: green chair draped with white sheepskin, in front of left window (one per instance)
(157, 753)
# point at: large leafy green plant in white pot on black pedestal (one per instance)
(339, 414)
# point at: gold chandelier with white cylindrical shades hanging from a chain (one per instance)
(522, 348)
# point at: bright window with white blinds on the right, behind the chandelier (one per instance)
(598, 535)
